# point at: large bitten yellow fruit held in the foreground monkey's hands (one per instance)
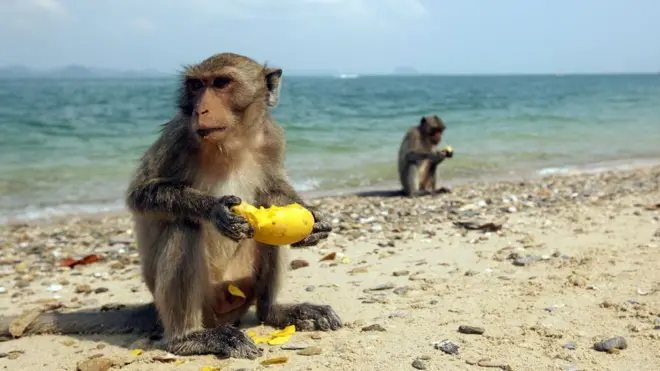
(277, 225)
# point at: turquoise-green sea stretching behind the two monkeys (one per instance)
(70, 146)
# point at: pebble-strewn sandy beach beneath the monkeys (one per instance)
(544, 269)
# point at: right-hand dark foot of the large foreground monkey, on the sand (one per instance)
(306, 317)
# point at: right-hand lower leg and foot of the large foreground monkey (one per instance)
(305, 316)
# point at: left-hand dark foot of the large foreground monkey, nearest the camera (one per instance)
(225, 341)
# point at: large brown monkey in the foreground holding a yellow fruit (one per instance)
(222, 147)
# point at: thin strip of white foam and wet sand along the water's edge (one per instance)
(392, 189)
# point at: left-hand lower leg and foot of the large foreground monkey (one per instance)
(182, 284)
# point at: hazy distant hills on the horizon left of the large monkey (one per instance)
(74, 72)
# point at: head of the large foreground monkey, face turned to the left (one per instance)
(227, 93)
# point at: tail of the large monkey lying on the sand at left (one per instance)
(134, 319)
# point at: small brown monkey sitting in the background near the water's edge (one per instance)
(419, 156)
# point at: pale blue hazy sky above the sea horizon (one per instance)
(349, 36)
